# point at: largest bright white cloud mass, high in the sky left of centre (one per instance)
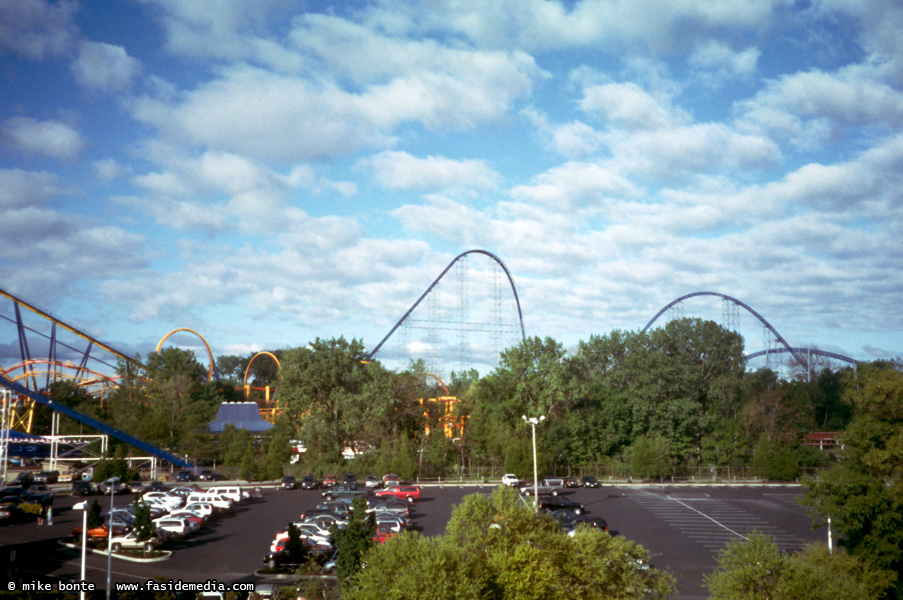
(358, 99)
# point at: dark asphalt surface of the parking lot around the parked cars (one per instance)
(683, 527)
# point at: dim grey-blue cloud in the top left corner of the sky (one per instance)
(37, 28)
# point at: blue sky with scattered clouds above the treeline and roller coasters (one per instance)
(267, 173)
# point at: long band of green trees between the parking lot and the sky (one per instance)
(648, 404)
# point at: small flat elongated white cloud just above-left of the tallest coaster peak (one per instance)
(402, 171)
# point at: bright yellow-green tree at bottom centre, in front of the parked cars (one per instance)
(496, 548)
